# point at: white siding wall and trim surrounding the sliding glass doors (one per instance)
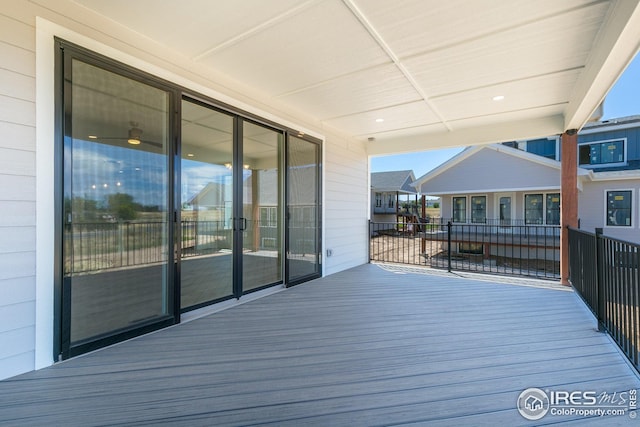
(26, 146)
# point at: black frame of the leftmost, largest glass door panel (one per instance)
(65, 53)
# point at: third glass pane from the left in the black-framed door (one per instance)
(261, 219)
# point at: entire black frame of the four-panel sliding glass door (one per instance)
(65, 51)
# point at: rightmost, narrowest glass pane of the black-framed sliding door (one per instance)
(303, 209)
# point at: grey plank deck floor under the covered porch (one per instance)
(368, 346)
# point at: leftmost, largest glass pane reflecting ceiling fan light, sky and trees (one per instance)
(116, 222)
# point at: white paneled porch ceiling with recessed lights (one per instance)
(428, 69)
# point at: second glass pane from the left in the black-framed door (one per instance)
(206, 272)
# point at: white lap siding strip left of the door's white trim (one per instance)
(17, 195)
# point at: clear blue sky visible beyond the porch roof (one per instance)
(623, 100)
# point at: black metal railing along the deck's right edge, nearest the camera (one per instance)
(604, 272)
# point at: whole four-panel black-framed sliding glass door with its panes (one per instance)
(168, 202)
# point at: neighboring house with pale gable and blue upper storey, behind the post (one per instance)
(513, 185)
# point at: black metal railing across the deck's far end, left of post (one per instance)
(495, 246)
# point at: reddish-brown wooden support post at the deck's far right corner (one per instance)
(569, 197)
